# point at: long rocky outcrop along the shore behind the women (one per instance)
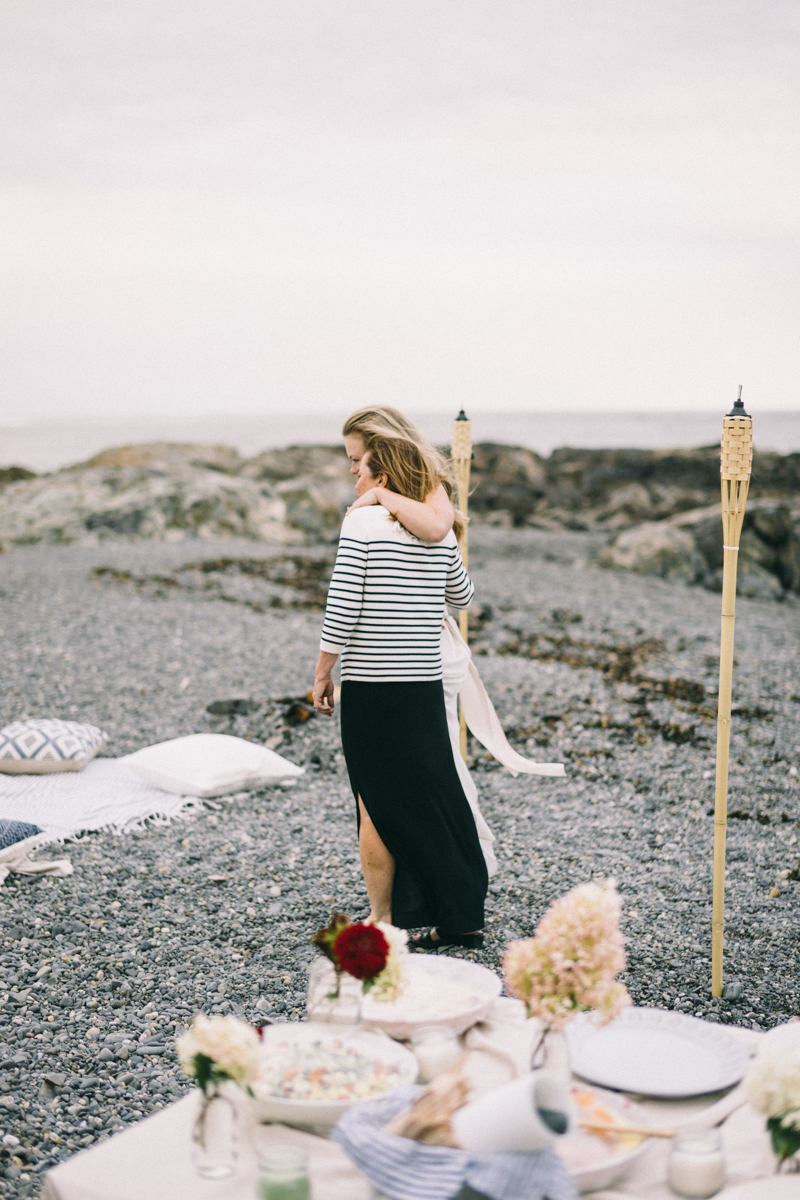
(660, 509)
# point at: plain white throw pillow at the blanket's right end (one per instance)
(210, 765)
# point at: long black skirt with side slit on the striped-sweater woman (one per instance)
(401, 764)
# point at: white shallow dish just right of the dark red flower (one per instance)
(440, 992)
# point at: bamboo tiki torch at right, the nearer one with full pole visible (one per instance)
(736, 463)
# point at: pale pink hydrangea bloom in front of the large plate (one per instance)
(572, 962)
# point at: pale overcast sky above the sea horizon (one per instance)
(269, 206)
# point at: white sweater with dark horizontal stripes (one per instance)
(387, 601)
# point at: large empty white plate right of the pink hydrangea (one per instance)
(652, 1052)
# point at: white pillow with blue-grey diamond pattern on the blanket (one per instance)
(46, 746)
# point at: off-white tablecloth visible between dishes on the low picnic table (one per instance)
(153, 1161)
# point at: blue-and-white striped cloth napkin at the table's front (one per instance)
(411, 1171)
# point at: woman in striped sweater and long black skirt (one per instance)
(420, 853)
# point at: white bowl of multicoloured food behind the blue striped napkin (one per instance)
(311, 1073)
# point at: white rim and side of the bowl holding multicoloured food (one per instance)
(324, 1114)
